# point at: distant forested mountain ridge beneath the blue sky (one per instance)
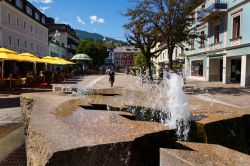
(97, 37)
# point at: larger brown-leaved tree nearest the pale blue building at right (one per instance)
(171, 21)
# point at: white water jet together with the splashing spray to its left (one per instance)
(167, 104)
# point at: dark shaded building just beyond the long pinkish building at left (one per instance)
(68, 37)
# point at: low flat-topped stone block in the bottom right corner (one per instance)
(202, 154)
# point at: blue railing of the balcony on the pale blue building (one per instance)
(212, 6)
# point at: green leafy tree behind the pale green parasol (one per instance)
(97, 51)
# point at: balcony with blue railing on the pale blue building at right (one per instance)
(213, 9)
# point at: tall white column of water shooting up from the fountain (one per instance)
(177, 105)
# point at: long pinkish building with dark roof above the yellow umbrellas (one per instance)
(22, 27)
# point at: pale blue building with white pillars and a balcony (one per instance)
(225, 53)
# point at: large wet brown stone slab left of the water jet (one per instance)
(60, 132)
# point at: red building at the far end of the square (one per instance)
(124, 57)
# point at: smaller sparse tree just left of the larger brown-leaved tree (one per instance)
(142, 35)
